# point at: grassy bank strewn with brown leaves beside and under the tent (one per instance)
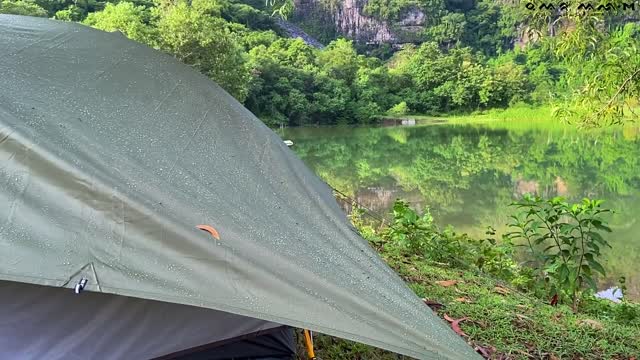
(507, 323)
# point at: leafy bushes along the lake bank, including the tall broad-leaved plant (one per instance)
(563, 240)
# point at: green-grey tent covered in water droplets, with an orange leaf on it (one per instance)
(111, 155)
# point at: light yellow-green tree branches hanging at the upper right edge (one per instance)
(603, 56)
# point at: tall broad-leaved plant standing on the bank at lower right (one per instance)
(565, 242)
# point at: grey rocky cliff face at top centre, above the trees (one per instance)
(347, 18)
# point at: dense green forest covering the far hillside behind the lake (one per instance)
(472, 56)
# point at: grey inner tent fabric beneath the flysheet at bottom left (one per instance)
(41, 322)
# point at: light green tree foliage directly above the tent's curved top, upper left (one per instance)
(193, 32)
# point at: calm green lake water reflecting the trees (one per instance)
(468, 174)
